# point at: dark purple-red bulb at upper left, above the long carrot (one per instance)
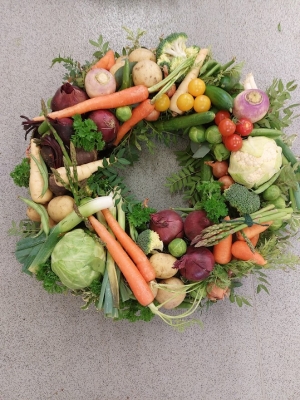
(66, 96)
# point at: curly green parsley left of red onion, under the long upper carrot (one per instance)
(86, 135)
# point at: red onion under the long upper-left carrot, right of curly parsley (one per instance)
(106, 123)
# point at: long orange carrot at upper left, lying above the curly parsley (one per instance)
(132, 95)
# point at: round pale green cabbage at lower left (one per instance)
(78, 259)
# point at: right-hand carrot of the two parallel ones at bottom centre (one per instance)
(135, 252)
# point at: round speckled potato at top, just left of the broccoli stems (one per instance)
(146, 73)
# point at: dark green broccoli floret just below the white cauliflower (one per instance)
(241, 198)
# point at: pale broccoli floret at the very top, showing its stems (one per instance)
(172, 51)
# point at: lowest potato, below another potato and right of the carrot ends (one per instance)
(166, 295)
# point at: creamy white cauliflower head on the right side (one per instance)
(256, 162)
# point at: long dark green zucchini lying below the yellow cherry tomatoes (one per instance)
(182, 122)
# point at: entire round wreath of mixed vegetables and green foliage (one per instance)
(86, 234)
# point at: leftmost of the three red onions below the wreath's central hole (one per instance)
(168, 224)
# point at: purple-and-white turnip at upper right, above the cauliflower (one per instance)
(252, 104)
